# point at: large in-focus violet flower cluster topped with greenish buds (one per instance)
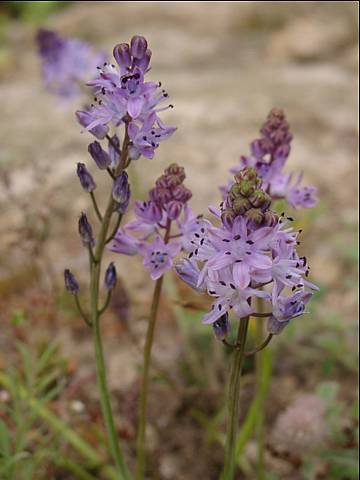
(250, 253)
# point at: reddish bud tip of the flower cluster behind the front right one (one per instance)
(276, 138)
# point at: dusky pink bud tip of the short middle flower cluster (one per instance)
(169, 193)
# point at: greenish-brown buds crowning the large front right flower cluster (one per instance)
(246, 198)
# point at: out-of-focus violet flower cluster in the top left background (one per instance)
(66, 62)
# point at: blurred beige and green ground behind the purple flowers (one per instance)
(224, 65)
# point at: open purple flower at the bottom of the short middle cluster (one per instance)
(158, 256)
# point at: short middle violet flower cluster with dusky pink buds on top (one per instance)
(150, 233)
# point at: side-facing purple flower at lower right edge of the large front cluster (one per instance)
(286, 308)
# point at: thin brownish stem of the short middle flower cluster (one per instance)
(140, 444)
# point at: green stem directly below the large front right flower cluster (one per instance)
(233, 400)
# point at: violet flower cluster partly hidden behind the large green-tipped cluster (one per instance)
(268, 156)
